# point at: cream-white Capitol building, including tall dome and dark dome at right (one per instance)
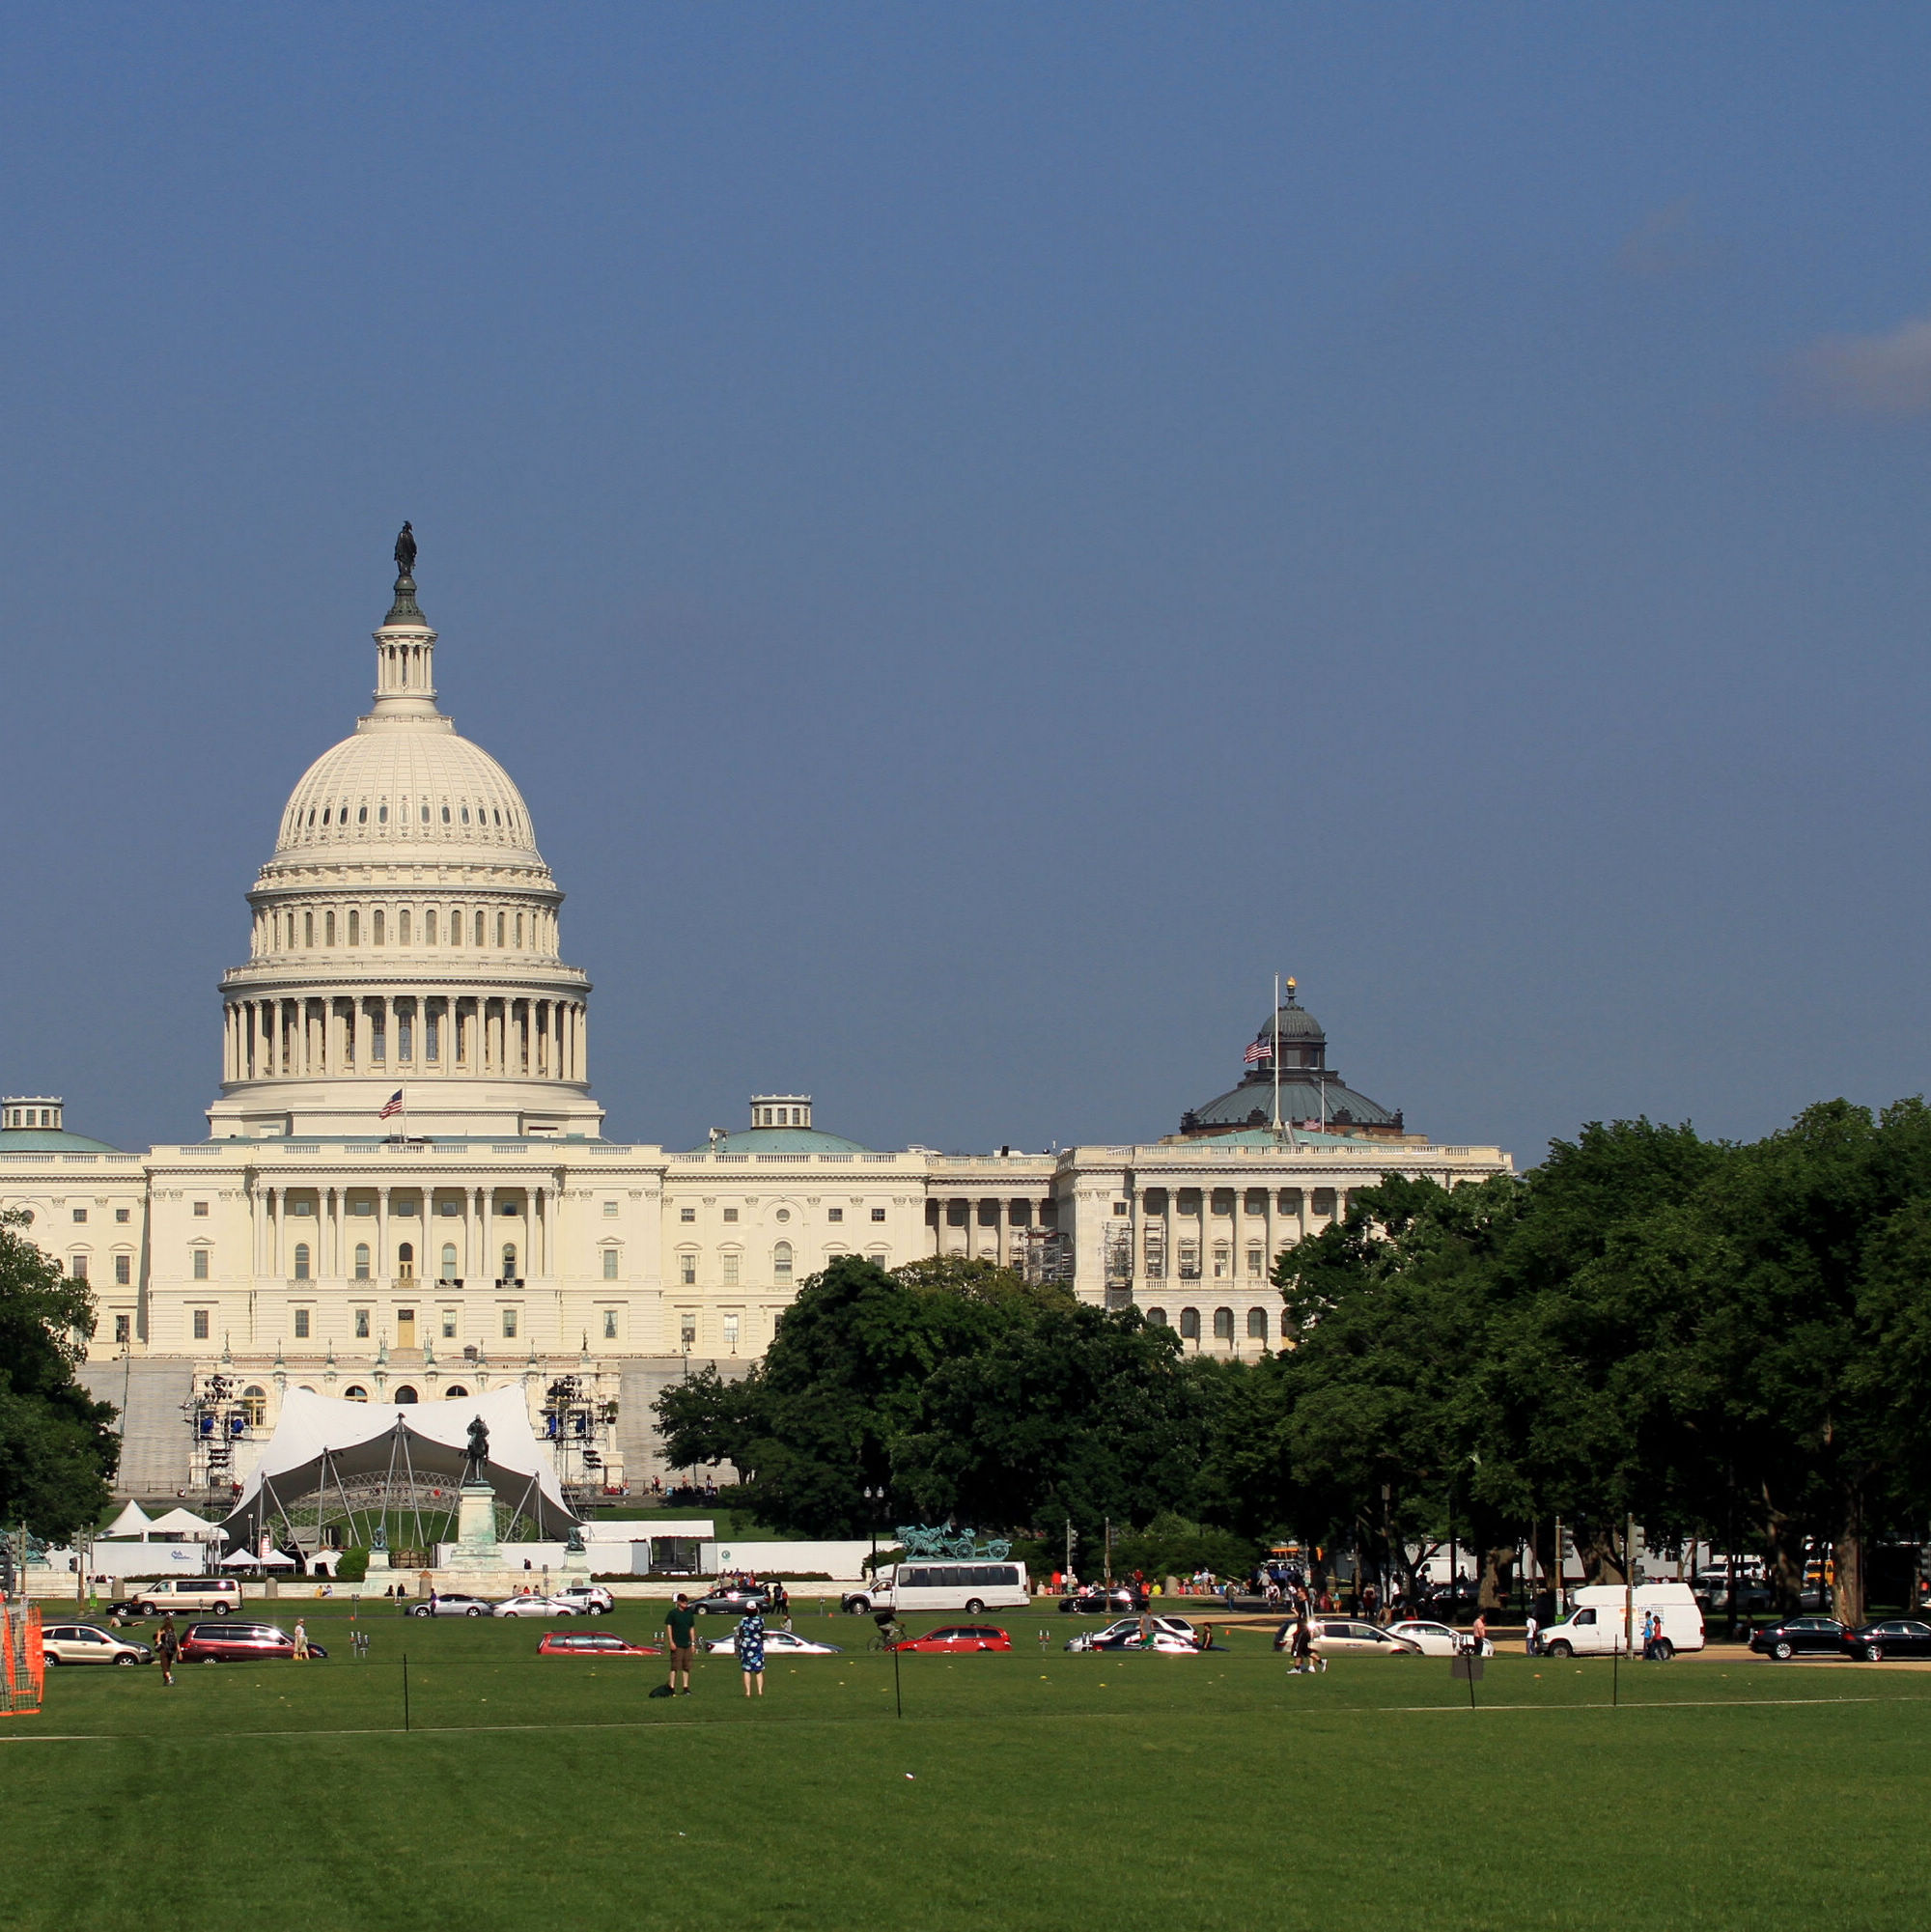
(405, 938)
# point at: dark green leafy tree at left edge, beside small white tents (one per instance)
(57, 1444)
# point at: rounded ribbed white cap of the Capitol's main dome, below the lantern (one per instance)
(406, 787)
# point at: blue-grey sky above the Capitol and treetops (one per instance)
(984, 534)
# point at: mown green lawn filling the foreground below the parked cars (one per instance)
(1038, 1790)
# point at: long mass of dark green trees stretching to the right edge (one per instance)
(1714, 1338)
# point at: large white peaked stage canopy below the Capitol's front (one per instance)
(322, 1442)
